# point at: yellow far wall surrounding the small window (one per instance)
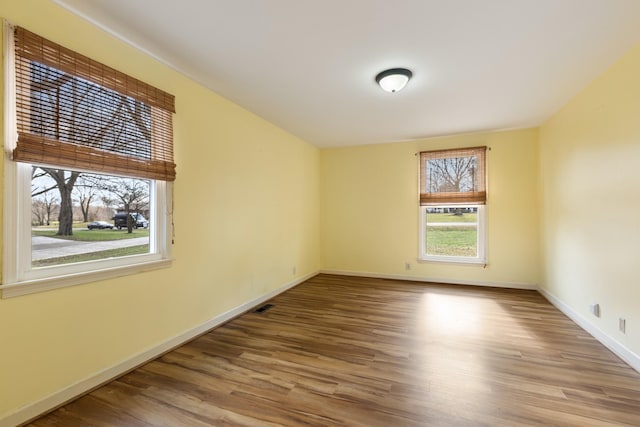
(370, 210)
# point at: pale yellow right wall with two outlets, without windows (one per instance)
(590, 204)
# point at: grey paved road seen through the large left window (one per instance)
(49, 247)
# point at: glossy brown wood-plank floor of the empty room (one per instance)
(346, 351)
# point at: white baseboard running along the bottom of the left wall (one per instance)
(60, 397)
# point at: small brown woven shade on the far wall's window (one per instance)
(455, 176)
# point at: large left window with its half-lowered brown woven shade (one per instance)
(89, 169)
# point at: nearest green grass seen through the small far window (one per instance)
(452, 241)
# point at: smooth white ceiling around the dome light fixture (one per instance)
(309, 66)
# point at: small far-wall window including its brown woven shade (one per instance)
(452, 205)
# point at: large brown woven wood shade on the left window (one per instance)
(76, 113)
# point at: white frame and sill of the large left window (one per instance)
(18, 276)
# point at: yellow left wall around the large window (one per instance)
(246, 213)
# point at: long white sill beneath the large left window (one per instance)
(46, 284)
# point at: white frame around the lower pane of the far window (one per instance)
(480, 258)
